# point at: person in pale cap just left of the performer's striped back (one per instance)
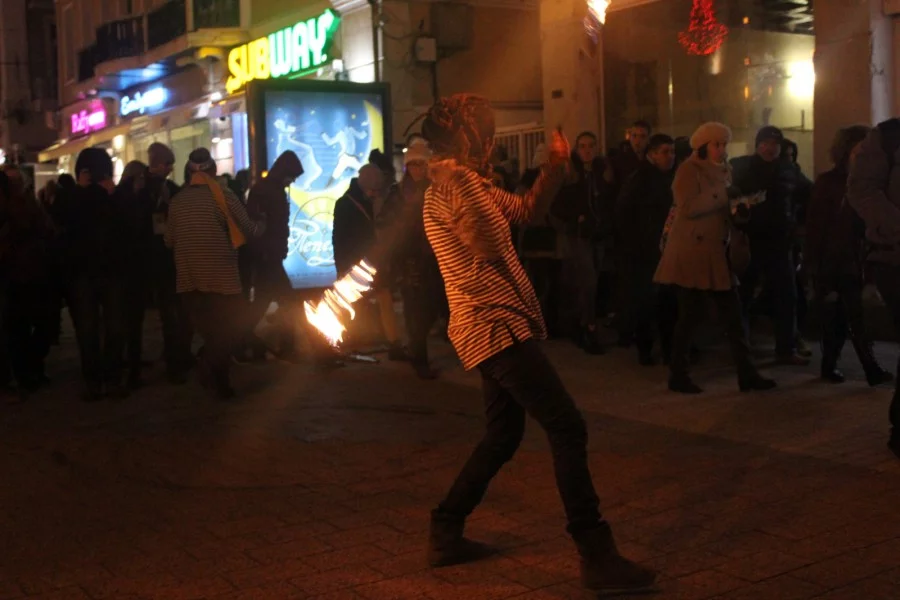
(412, 258)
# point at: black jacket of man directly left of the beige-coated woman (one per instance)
(641, 212)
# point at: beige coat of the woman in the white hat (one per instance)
(695, 253)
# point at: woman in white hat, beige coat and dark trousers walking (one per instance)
(695, 258)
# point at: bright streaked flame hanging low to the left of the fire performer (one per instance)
(326, 314)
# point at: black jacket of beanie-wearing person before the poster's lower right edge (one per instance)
(353, 236)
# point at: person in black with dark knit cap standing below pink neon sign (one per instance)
(96, 257)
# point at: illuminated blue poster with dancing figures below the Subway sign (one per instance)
(332, 133)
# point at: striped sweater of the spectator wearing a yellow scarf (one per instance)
(196, 230)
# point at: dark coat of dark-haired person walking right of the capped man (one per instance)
(834, 232)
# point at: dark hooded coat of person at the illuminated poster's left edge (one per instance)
(269, 198)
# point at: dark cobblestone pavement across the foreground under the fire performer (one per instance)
(318, 485)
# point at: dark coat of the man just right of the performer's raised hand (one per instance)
(587, 206)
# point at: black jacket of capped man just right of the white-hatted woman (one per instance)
(771, 222)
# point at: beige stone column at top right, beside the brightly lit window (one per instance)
(854, 71)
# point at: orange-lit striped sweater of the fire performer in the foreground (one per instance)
(467, 221)
